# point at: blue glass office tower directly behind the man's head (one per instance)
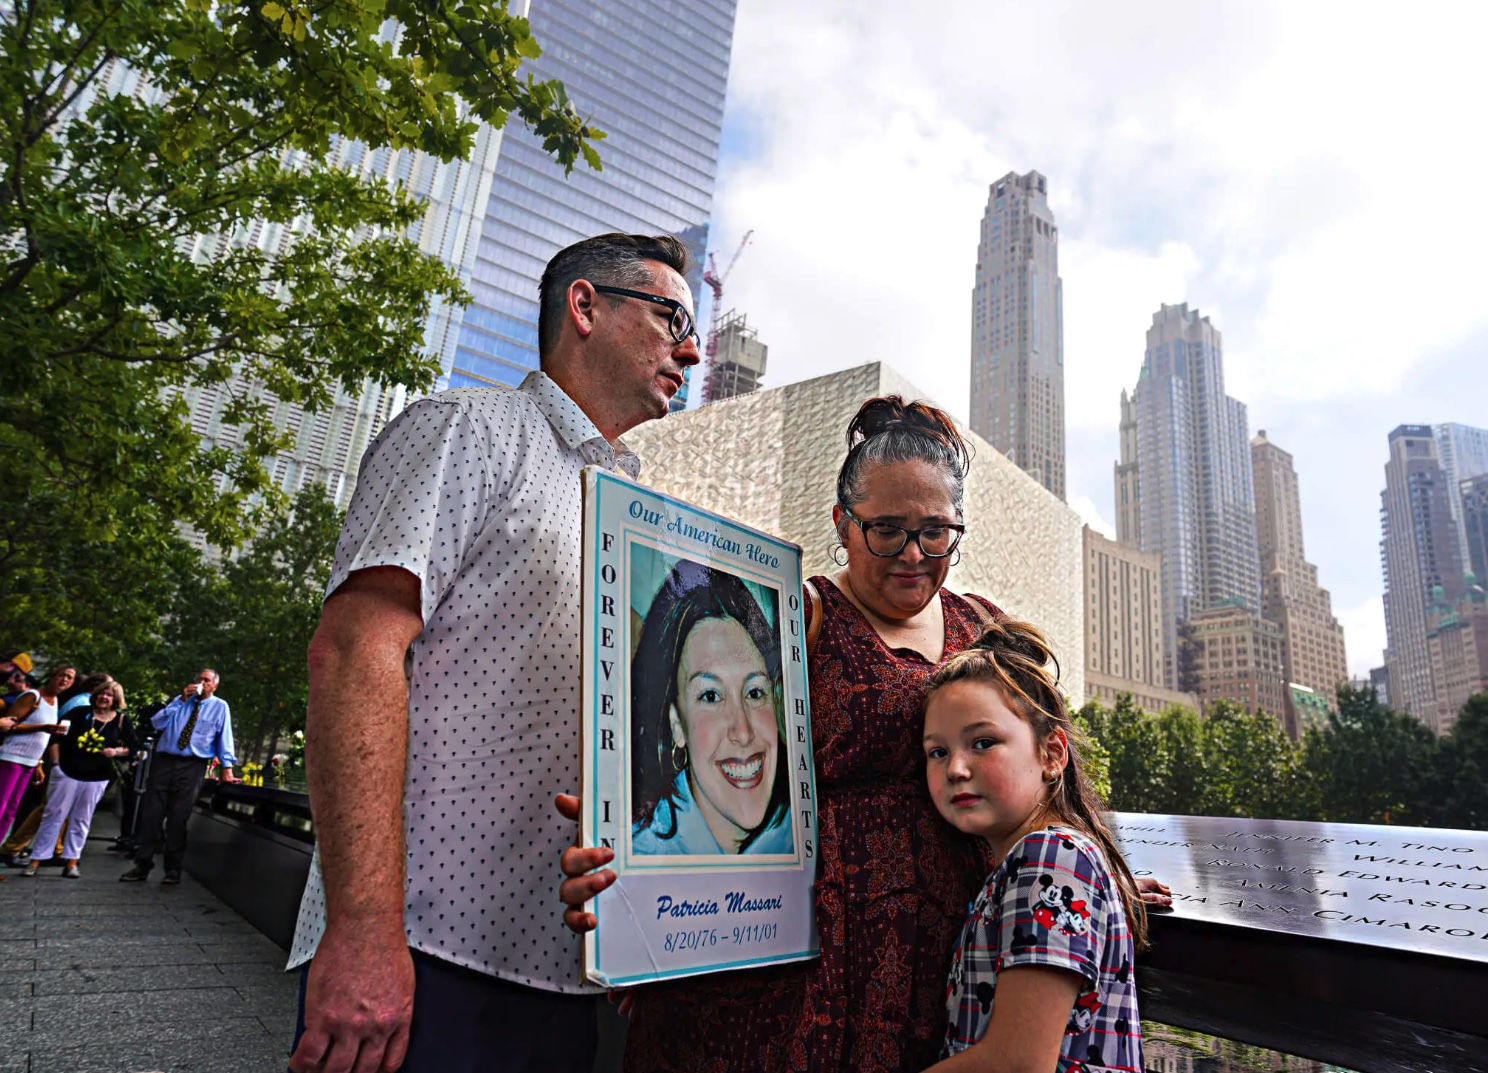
(652, 75)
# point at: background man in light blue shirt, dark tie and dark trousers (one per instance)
(194, 728)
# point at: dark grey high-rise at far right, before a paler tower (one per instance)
(1423, 566)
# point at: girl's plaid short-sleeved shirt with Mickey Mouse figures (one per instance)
(1051, 903)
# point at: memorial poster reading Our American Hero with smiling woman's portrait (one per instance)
(697, 740)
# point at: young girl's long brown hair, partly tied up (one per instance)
(1016, 657)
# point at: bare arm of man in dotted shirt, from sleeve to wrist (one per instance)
(356, 752)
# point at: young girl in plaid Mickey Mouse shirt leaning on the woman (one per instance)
(1042, 977)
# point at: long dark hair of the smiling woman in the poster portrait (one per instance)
(691, 595)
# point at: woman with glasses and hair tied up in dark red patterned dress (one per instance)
(894, 879)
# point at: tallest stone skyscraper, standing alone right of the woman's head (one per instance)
(1019, 330)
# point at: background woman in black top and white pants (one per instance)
(84, 767)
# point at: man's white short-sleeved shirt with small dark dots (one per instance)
(477, 492)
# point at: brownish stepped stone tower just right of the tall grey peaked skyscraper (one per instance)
(1312, 639)
